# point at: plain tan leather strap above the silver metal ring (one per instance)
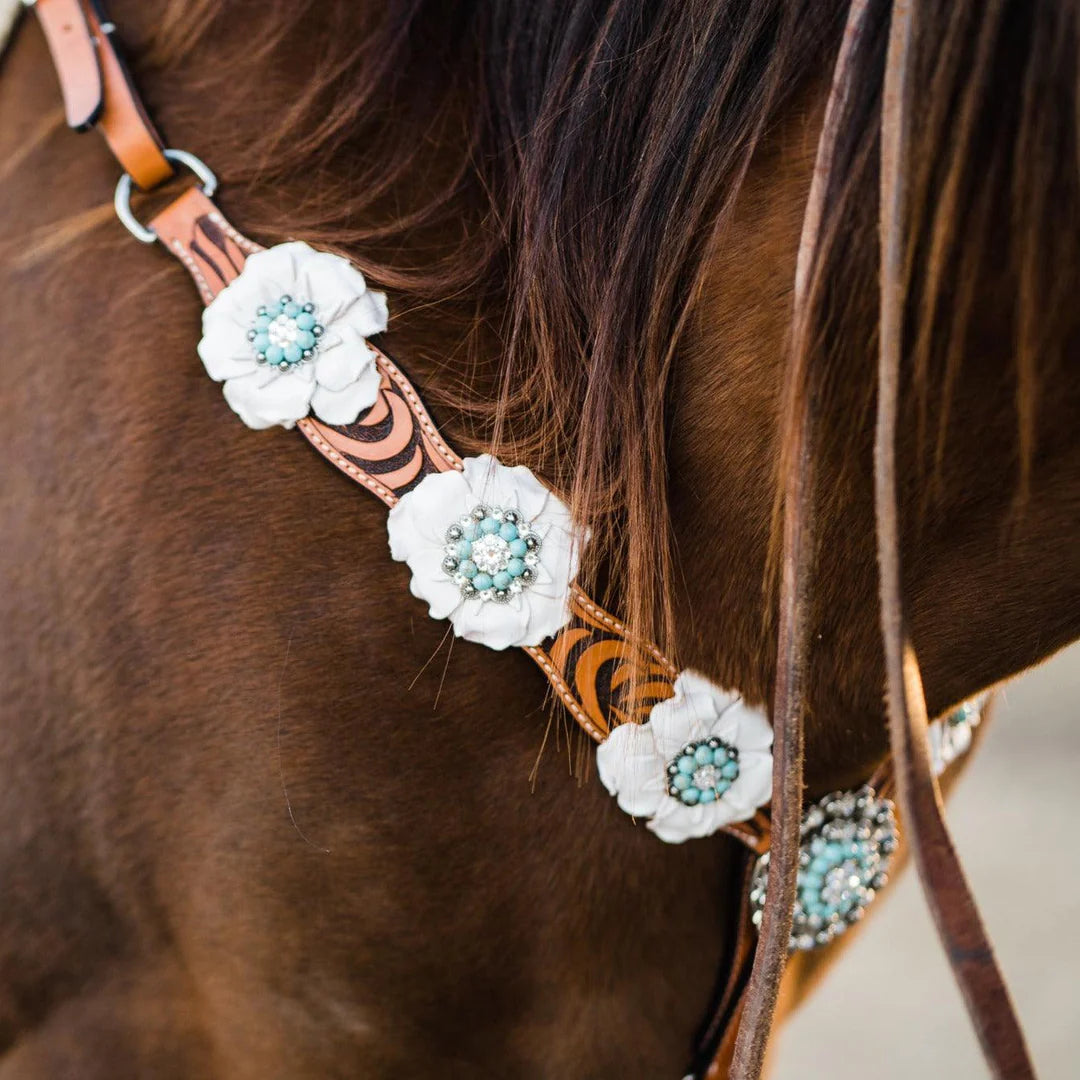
(98, 90)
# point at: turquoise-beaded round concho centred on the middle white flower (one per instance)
(492, 553)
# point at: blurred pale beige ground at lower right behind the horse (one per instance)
(889, 1009)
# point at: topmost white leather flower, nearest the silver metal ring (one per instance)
(288, 336)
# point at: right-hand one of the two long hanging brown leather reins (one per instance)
(949, 896)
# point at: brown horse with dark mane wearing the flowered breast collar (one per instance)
(262, 820)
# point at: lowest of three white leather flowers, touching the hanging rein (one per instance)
(701, 762)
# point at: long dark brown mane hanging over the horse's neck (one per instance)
(591, 156)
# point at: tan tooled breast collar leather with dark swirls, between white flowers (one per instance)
(391, 448)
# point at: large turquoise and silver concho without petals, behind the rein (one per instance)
(848, 841)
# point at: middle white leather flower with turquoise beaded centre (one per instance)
(492, 550)
